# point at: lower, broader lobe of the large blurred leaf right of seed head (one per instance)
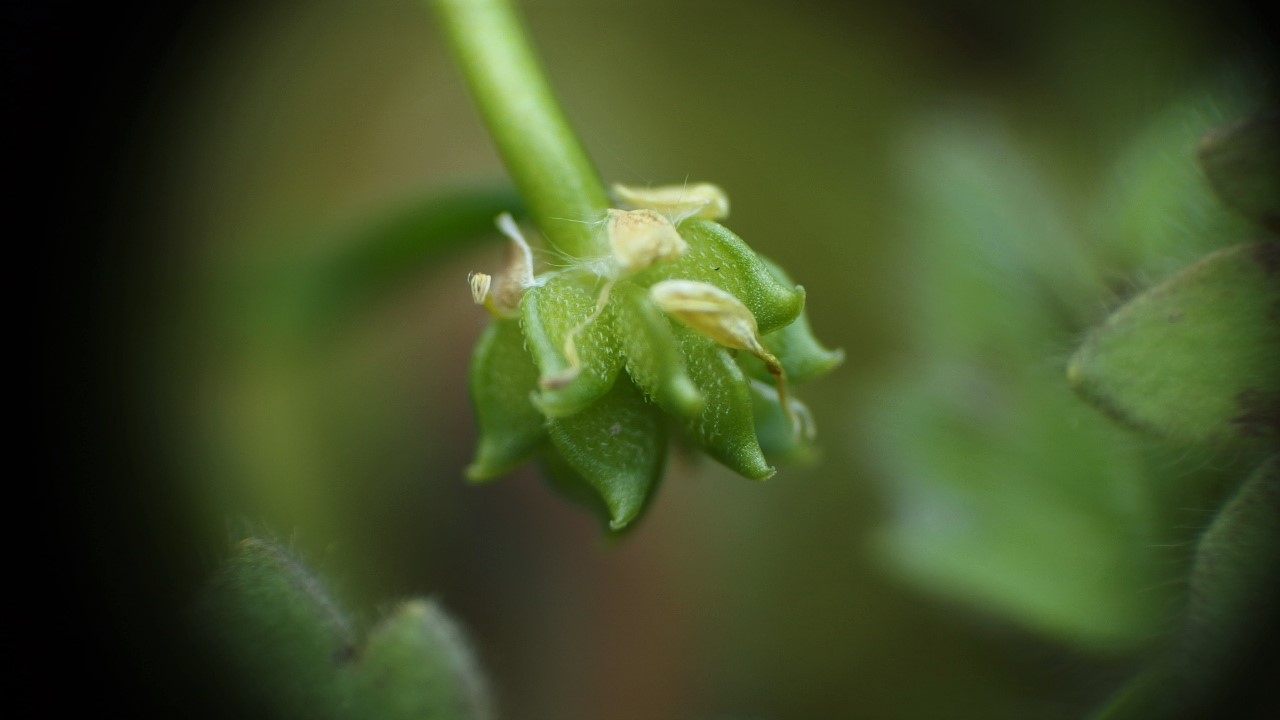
(1011, 496)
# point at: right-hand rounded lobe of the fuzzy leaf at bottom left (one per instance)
(417, 663)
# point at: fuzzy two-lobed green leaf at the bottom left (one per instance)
(292, 653)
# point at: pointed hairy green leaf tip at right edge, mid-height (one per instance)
(1195, 358)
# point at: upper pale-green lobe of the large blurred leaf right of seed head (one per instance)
(998, 263)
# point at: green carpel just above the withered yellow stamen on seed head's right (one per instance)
(720, 258)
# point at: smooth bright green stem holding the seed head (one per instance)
(543, 156)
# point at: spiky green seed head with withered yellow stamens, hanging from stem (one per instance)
(682, 329)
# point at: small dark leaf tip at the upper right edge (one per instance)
(1242, 163)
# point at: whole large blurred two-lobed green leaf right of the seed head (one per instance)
(1005, 493)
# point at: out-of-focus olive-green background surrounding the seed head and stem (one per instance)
(943, 177)
